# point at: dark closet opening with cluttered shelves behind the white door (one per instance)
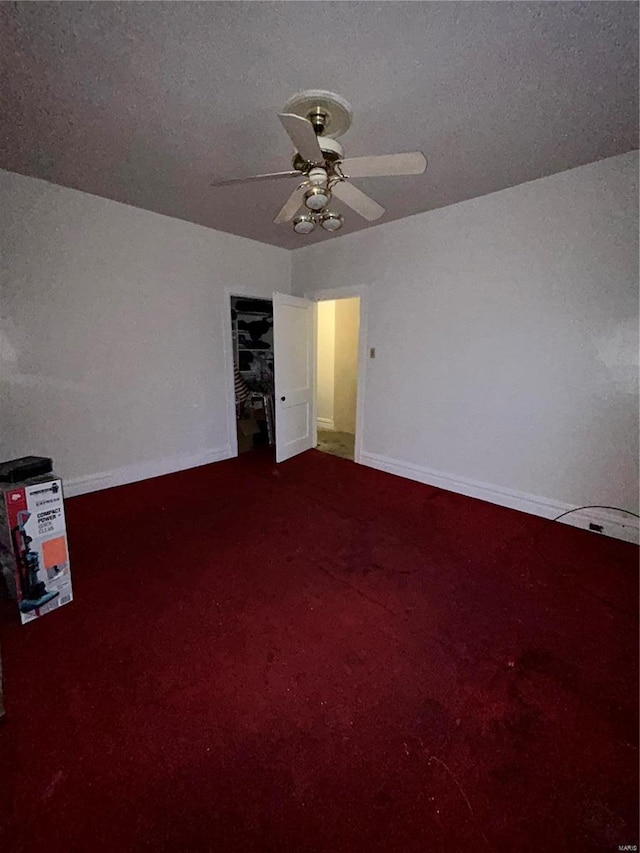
(252, 341)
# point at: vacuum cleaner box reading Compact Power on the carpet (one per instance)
(34, 533)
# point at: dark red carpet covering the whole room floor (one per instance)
(322, 657)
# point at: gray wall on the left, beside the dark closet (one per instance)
(111, 350)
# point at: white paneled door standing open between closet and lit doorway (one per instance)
(294, 351)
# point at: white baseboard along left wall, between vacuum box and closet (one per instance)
(143, 471)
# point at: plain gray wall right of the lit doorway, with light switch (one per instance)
(506, 341)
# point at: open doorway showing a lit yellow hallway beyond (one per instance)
(337, 375)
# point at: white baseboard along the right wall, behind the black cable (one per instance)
(614, 524)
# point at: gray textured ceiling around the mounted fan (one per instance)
(146, 103)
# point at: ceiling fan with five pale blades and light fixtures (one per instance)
(312, 120)
